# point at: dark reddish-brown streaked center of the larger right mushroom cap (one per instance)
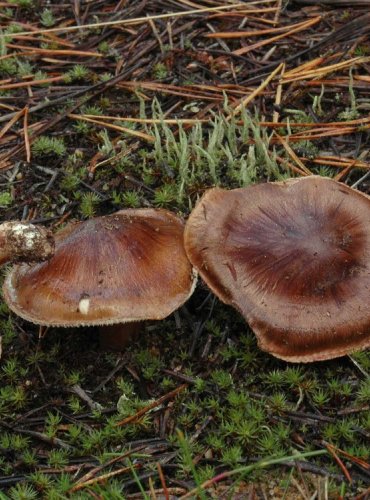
(308, 254)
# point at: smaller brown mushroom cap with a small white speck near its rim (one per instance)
(129, 266)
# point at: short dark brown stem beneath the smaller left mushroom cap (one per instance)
(117, 337)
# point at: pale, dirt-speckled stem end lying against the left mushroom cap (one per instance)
(24, 242)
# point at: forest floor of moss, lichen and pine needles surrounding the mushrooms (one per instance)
(114, 104)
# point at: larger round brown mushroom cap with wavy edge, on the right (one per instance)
(294, 258)
